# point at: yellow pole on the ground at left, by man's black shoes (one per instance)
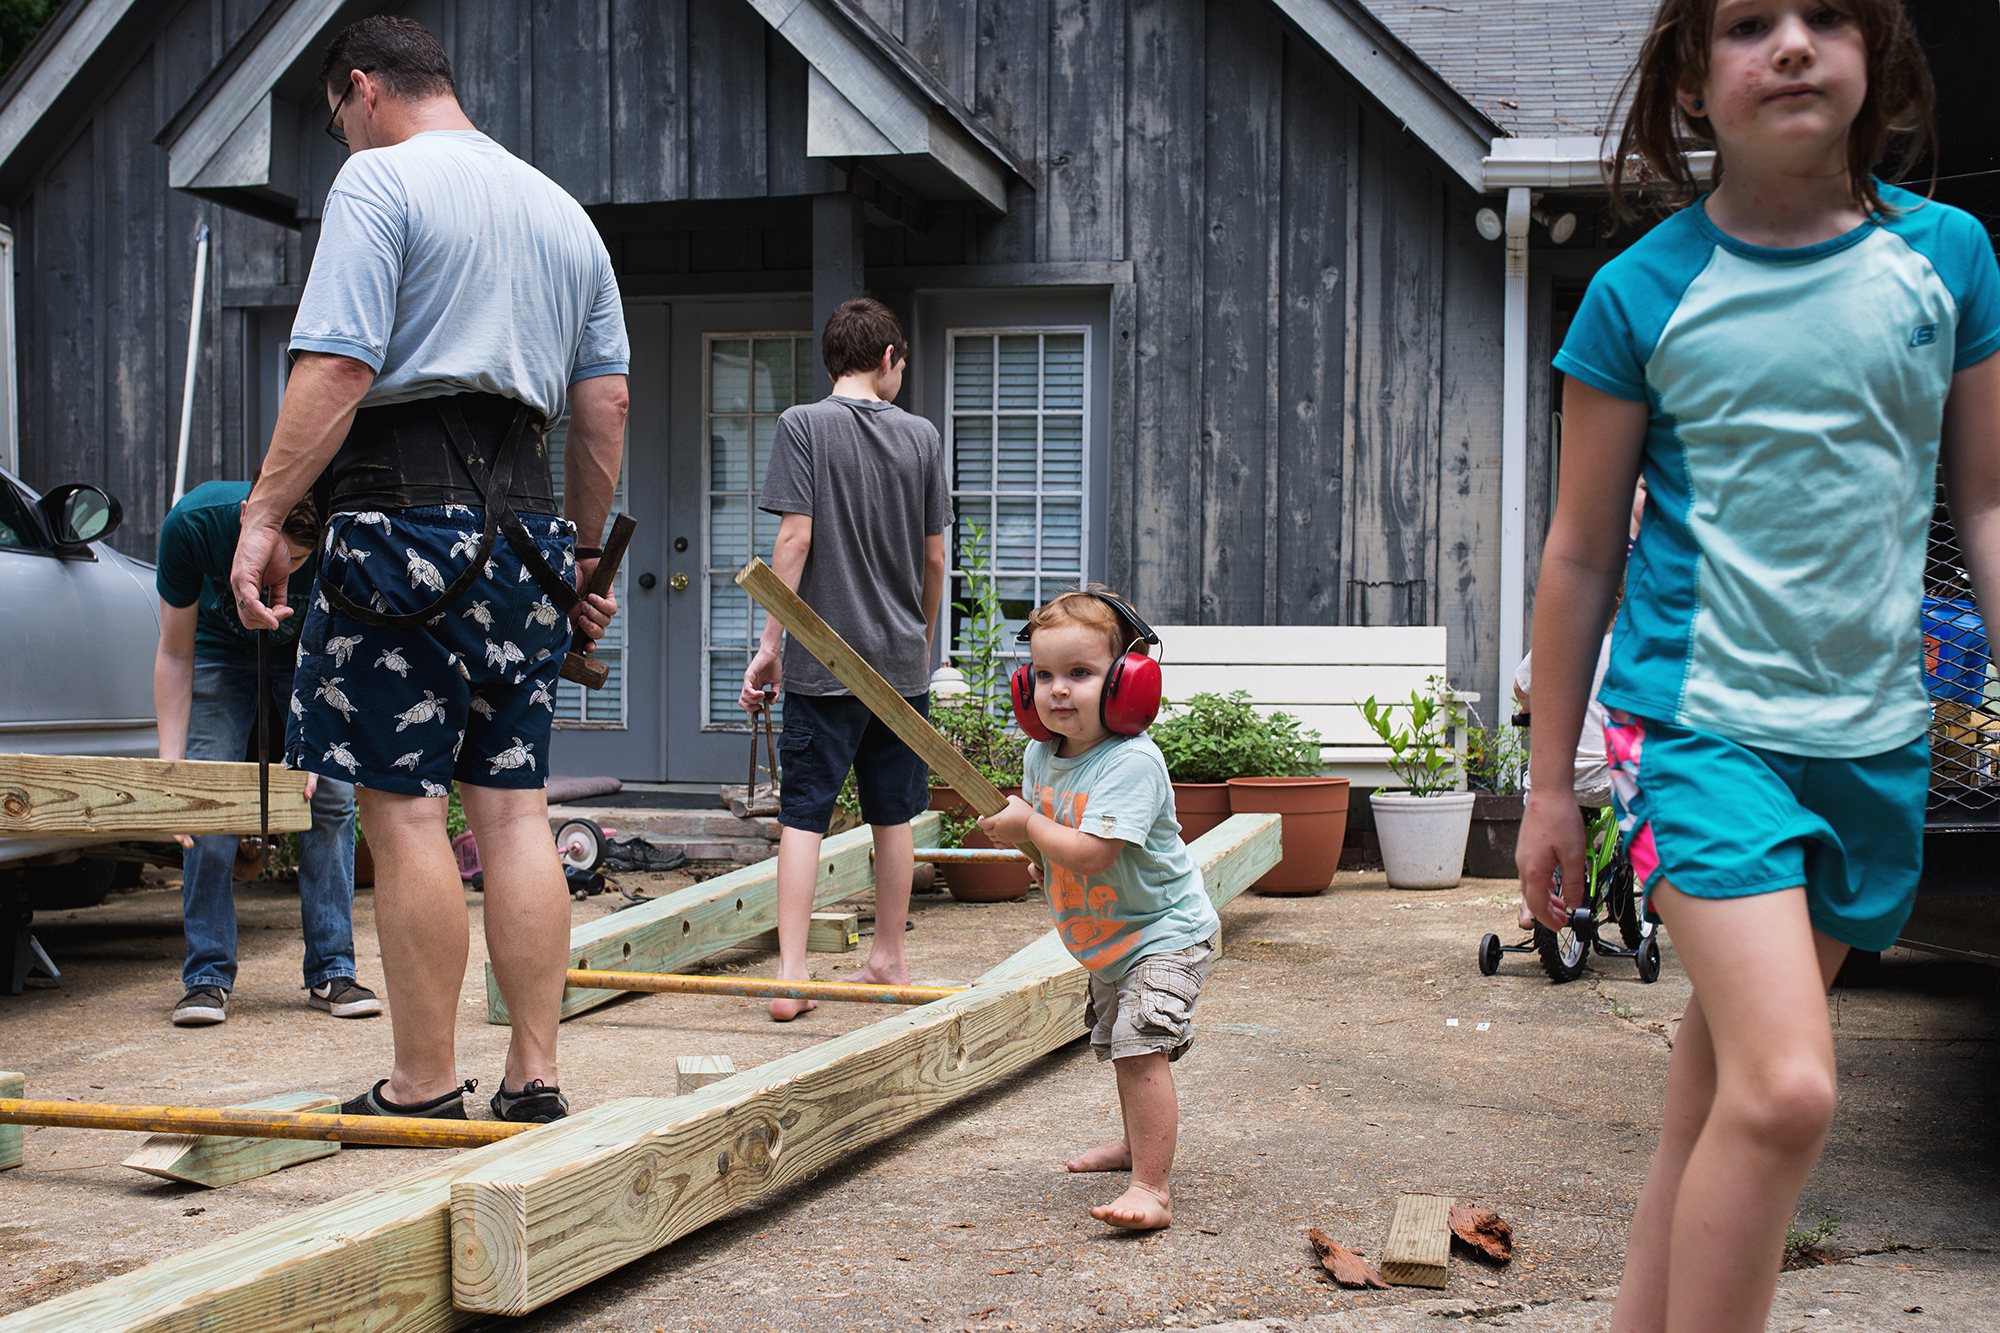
(375, 1130)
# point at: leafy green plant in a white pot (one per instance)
(1423, 830)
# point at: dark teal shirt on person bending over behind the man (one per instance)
(197, 547)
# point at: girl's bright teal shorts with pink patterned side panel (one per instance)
(1721, 820)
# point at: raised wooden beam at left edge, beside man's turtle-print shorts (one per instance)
(143, 798)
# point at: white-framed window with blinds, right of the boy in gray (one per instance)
(1017, 439)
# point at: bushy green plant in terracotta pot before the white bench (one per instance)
(1219, 746)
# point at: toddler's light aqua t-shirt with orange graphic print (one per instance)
(1151, 900)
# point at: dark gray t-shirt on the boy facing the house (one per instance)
(873, 481)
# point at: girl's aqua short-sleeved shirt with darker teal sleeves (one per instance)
(1797, 399)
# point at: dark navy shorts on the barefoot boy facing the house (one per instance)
(825, 736)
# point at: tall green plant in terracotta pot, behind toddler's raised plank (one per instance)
(979, 724)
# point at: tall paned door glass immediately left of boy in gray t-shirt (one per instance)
(747, 383)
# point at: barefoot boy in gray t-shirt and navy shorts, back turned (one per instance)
(863, 501)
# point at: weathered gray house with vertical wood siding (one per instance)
(1197, 289)
